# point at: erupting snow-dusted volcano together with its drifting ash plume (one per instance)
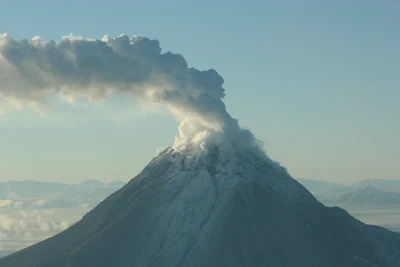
(213, 198)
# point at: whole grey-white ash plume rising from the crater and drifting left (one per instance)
(34, 71)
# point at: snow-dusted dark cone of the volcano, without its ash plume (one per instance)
(202, 210)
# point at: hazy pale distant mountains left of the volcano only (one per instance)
(38, 195)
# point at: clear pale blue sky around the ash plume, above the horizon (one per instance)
(316, 81)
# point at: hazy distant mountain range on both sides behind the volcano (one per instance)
(43, 195)
